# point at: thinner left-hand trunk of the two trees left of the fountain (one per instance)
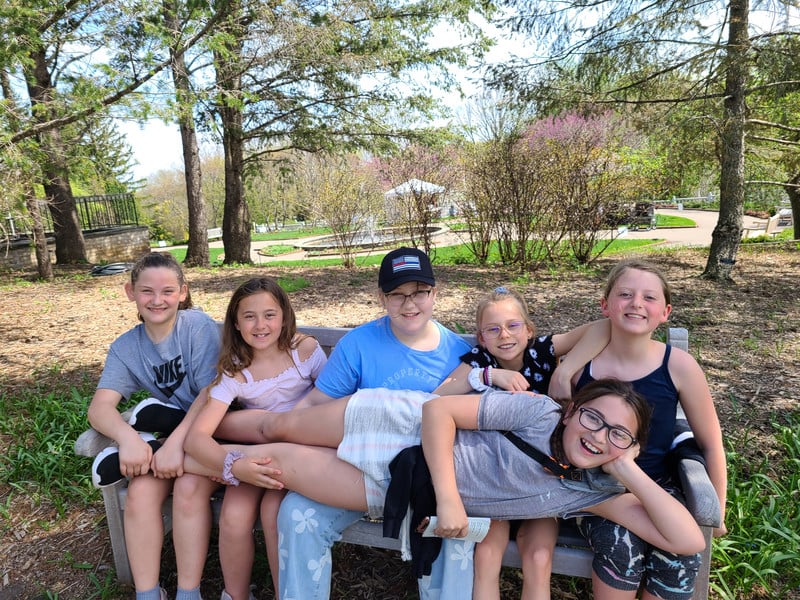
(197, 253)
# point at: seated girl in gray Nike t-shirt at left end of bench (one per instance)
(172, 355)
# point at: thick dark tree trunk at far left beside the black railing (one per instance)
(70, 245)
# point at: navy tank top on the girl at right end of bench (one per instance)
(659, 390)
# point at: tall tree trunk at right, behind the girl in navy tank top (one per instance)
(727, 234)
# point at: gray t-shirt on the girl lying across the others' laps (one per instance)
(496, 479)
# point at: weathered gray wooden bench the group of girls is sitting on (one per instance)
(572, 556)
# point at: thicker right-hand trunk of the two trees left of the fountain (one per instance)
(236, 217)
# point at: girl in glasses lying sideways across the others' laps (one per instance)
(463, 439)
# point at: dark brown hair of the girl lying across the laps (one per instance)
(608, 386)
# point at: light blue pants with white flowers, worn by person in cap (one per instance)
(308, 530)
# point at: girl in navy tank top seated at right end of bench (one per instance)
(637, 300)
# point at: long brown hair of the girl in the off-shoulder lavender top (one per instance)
(235, 353)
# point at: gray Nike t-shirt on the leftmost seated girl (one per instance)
(174, 370)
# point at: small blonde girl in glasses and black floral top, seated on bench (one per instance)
(510, 356)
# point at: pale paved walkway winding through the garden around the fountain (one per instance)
(700, 235)
